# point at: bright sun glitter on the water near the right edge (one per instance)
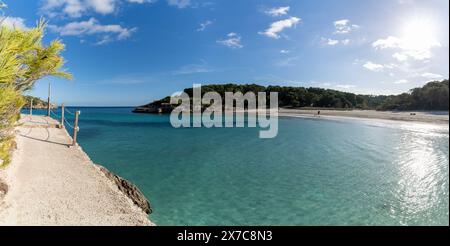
(423, 177)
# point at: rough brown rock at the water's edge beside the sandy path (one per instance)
(129, 189)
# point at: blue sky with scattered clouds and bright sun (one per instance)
(129, 52)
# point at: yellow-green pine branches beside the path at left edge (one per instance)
(23, 61)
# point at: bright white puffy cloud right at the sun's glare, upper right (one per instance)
(408, 48)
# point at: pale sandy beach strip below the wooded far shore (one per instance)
(434, 117)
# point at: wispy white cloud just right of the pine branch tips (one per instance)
(108, 33)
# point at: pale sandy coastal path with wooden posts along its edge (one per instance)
(52, 184)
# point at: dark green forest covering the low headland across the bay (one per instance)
(432, 96)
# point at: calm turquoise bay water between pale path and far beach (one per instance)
(315, 172)
